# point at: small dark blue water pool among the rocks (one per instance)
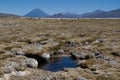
(58, 63)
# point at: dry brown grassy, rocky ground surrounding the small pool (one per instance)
(93, 43)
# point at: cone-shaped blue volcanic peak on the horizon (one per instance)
(36, 13)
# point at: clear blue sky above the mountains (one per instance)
(21, 7)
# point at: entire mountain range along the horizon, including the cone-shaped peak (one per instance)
(95, 14)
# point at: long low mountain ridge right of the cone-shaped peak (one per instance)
(94, 14)
